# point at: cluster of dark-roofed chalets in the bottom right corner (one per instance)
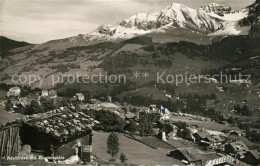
(236, 150)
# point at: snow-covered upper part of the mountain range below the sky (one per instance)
(211, 19)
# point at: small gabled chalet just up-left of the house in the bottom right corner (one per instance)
(237, 148)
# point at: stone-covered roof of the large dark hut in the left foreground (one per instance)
(62, 125)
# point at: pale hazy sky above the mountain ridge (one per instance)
(38, 21)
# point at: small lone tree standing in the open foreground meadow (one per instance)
(112, 145)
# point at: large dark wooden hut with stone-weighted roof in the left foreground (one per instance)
(57, 133)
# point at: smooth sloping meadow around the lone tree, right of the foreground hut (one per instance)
(136, 152)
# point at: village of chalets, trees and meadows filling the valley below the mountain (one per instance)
(51, 129)
